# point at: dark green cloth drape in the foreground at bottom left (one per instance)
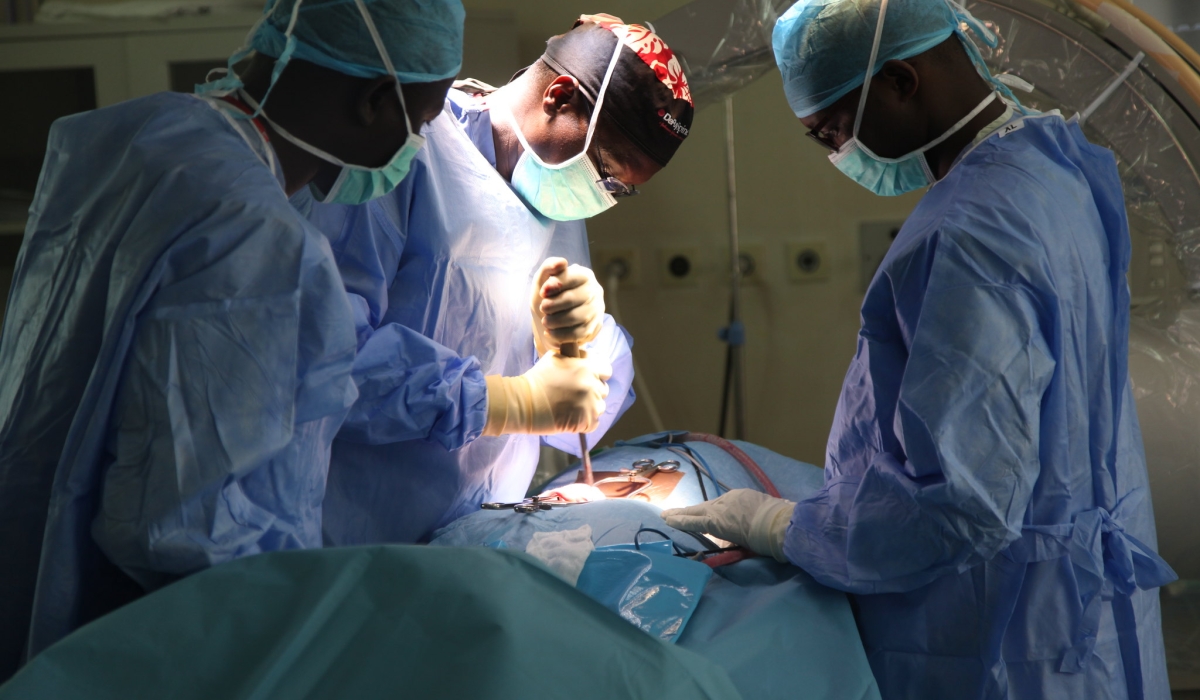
(368, 623)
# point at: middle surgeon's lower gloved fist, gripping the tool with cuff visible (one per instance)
(557, 396)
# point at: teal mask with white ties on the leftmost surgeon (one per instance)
(355, 184)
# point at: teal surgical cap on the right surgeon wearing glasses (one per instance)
(823, 47)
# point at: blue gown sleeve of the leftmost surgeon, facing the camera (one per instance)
(225, 415)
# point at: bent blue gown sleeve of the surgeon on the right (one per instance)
(955, 490)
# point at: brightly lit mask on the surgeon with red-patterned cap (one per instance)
(566, 192)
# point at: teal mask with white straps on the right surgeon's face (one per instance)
(891, 177)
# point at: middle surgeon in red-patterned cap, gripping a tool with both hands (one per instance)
(448, 276)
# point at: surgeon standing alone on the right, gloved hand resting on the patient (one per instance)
(986, 499)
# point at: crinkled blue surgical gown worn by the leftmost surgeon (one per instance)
(176, 361)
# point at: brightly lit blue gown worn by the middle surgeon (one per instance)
(440, 274)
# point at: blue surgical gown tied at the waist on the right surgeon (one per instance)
(986, 488)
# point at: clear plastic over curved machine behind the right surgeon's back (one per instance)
(1072, 56)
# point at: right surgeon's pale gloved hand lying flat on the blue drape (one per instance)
(743, 517)
